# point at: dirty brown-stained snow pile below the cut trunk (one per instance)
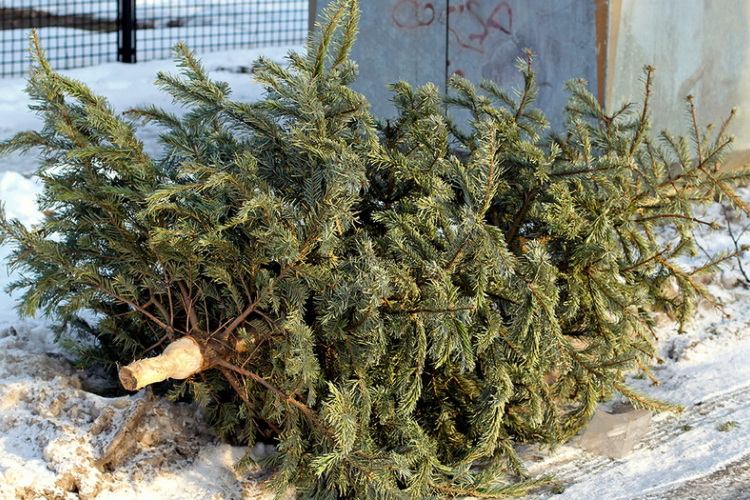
(60, 441)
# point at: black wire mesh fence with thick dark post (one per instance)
(78, 33)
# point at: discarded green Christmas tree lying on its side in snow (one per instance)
(394, 303)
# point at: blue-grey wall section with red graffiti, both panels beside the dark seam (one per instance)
(424, 41)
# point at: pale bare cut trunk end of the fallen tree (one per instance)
(181, 359)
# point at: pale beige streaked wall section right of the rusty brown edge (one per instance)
(698, 47)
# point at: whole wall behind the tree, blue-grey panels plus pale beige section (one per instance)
(698, 47)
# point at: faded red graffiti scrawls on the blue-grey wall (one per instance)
(473, 29)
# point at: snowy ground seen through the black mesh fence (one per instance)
(209, 24)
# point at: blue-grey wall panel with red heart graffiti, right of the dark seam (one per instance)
(488, 36)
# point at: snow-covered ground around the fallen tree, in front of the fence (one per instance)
(56, 436)
